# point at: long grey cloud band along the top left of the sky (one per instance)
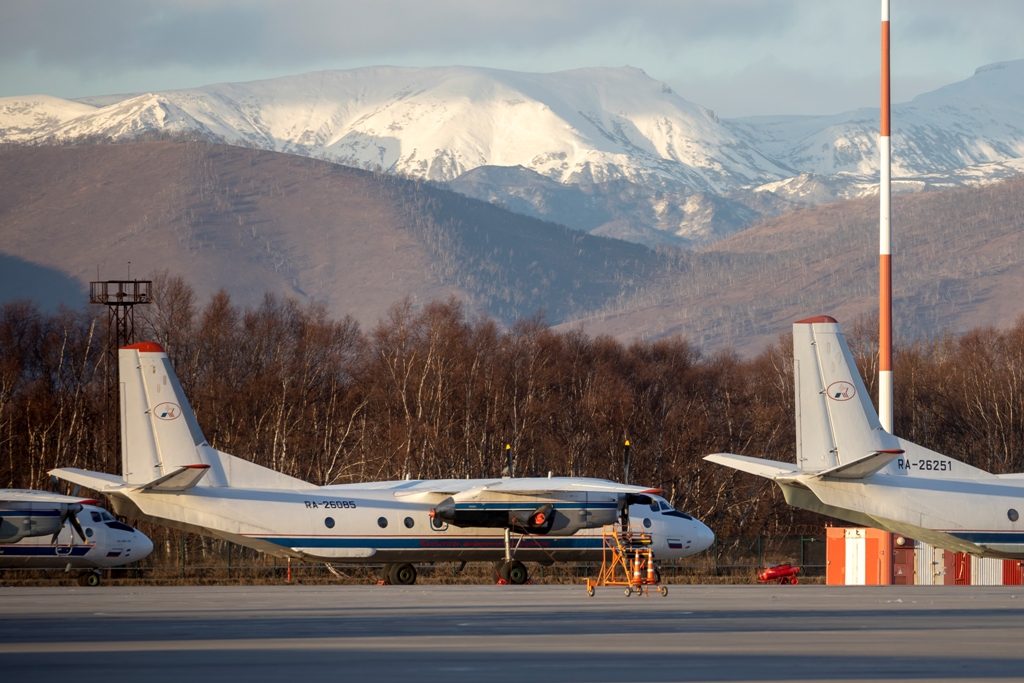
(121, 34)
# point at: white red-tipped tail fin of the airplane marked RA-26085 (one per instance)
(161, 440)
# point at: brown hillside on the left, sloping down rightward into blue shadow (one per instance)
(253, 222)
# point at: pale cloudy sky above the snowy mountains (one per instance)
(740, 58)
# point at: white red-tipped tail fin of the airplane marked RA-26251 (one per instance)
(837, 424)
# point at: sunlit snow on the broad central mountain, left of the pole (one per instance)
(588, 125)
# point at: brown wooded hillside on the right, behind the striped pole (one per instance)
(958, 264)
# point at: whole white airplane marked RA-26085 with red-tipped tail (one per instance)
(173, 477)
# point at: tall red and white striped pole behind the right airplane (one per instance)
(885, 245)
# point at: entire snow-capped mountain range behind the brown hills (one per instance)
(608, 151)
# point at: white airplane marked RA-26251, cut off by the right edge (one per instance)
(850, 468)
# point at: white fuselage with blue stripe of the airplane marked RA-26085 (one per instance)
(387, 523)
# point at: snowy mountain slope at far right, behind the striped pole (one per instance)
(976, 121)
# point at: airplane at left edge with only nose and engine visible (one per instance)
(38, 529)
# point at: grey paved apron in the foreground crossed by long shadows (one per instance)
(523, 633)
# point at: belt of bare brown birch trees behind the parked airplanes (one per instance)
(437, 392)
